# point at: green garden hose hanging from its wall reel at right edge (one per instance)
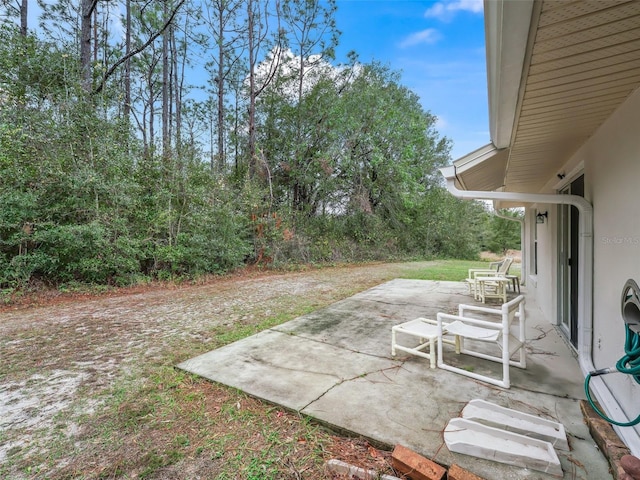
(628, 364)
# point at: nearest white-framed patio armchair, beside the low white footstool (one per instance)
(506, 335)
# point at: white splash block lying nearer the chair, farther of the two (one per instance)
(496, 416)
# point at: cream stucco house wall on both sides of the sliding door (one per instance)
(611, 160)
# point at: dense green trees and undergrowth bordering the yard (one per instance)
(342, 169)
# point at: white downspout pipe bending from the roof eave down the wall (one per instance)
(585, 287)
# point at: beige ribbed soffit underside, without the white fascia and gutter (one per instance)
(584, 61)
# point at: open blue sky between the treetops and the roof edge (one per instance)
(439, 49)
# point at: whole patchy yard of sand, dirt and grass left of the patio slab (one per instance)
(88, 388)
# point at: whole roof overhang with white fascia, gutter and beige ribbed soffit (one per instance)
(556, 71)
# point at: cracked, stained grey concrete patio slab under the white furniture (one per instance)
(335, 365)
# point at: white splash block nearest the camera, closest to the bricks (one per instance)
(478, 440)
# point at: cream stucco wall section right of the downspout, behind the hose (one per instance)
(612, 167)
